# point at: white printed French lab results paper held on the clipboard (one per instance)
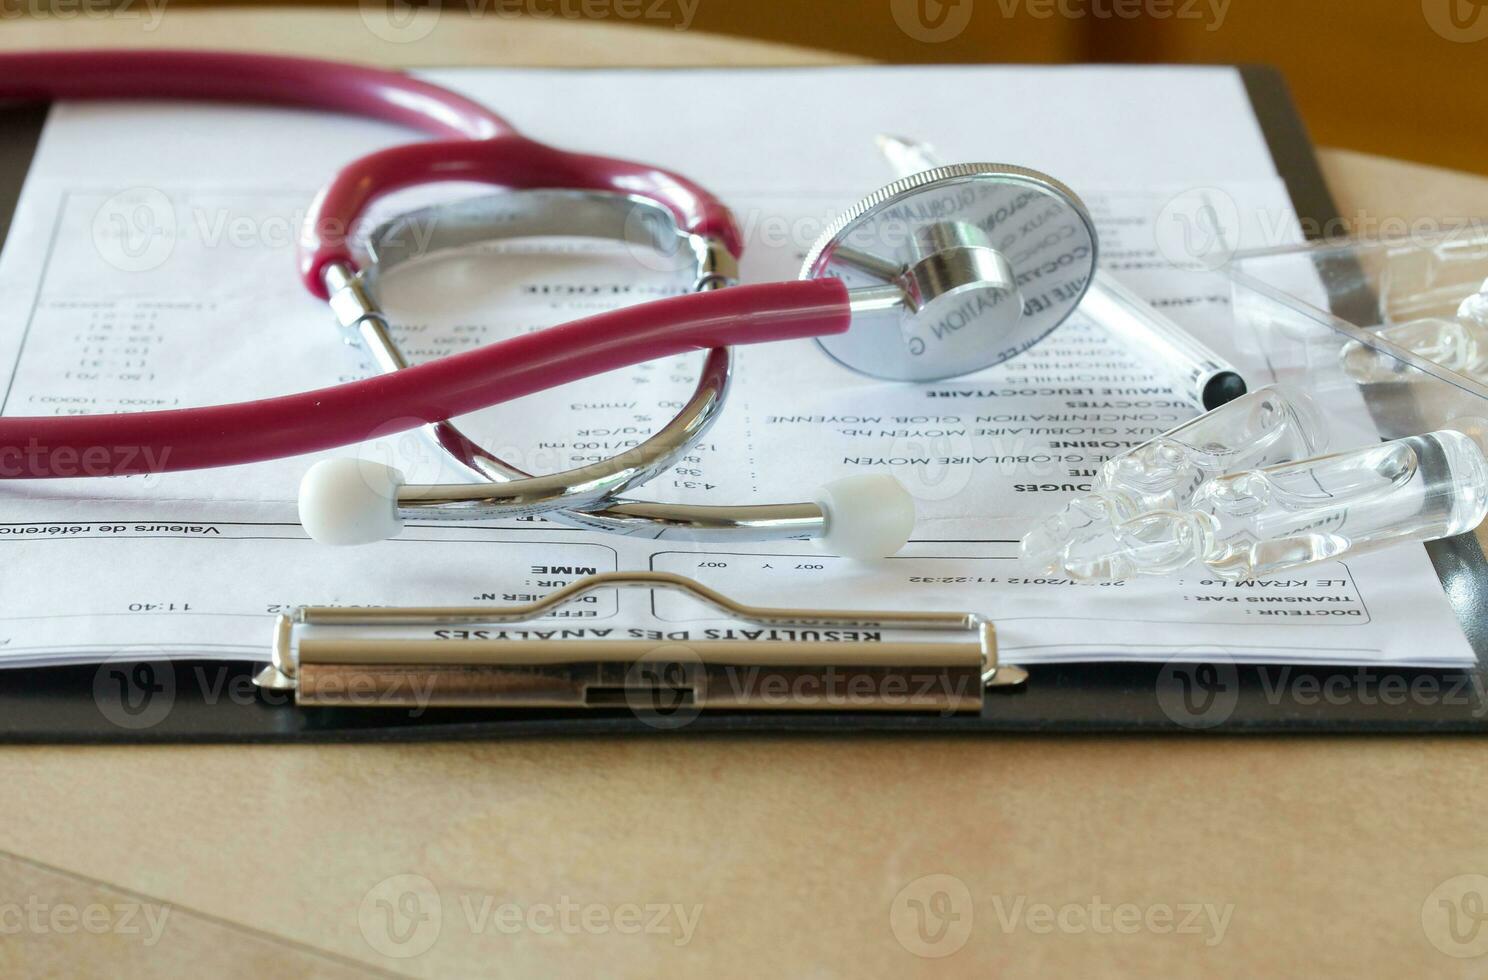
(151, 265)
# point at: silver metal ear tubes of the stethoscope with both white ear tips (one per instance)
(358, 502)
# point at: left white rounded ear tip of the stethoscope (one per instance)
(350, 502)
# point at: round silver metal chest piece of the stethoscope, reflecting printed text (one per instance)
(956, 270)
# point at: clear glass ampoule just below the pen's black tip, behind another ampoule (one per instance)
(1270, 426)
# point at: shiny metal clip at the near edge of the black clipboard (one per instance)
(804, 671)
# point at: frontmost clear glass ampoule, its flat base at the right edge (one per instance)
(1280, 518)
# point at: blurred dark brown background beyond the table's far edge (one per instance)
(1398, 78)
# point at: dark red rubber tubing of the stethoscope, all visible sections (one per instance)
(484, 148)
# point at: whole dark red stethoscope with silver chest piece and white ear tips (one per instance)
(940, 274)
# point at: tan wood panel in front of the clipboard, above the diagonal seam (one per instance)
(794, 848)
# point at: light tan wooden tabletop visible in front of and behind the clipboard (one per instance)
(740, 856)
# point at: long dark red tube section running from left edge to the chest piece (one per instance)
(310, 422)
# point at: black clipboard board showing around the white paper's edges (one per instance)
(208, 701)
